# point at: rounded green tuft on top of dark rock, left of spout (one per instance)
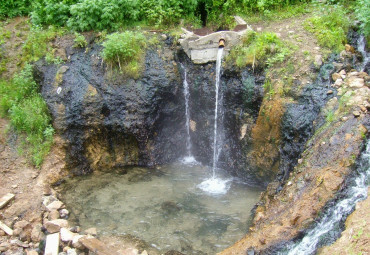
(125, 50)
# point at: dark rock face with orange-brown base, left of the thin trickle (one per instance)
(110, 121)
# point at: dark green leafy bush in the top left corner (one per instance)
(12, 8)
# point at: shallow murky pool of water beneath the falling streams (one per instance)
(163, 206)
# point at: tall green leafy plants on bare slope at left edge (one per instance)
(21, 102)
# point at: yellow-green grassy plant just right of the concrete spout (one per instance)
(258, 49)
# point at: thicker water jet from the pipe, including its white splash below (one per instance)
(215, 185)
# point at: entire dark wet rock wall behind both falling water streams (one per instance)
(110, 121)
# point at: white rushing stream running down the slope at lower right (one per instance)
(336, 214)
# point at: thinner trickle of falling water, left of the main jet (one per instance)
(189, 158)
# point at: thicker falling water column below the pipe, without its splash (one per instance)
(216, 144)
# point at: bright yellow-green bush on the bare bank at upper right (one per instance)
(330, 27)
